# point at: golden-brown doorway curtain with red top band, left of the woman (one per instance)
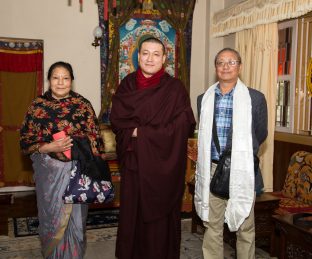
(21, 63)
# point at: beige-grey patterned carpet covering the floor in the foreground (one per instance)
(101, 244)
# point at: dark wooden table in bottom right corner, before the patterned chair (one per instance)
(291, 239)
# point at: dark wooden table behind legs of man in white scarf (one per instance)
(265, 206)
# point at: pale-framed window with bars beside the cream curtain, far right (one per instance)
(294, 95)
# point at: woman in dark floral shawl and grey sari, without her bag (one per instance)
(61, 226)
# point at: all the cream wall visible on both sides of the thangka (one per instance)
(67, 35)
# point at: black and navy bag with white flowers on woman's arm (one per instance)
(90, 178)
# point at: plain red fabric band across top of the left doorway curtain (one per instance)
(21, 62)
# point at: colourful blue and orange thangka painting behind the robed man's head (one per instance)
(130, 34)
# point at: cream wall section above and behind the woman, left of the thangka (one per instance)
(67, 36)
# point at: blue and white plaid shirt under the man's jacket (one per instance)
(223, 117)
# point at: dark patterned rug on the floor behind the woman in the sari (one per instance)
(96, 219)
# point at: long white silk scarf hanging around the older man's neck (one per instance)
(242, 168)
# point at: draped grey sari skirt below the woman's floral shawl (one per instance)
(61, 226)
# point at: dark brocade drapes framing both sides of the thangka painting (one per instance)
(177, 12)
